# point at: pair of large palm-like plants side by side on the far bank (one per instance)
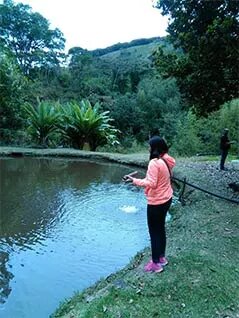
(73, 123)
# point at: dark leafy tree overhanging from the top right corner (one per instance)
(206, 32)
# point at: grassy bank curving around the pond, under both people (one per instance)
(202, 278)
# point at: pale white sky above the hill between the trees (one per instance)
(93, 24)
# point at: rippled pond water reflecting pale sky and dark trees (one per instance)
(64, 224)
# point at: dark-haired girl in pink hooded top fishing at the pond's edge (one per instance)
(159, 192)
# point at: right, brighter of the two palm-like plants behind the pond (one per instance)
(81, 123)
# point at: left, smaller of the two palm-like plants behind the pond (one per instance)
(43, 121)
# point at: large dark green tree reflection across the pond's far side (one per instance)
(31, 192)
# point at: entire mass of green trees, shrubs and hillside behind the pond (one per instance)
(146, 85)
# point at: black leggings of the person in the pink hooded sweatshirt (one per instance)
(156, 215)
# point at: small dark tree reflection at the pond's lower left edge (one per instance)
(5, 277)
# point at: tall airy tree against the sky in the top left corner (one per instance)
(28, 36)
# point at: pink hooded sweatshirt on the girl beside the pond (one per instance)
(157, 183)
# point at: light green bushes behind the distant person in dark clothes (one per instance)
(202, 136)
